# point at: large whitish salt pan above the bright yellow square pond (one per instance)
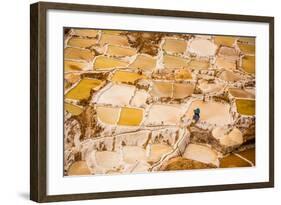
(115, 94)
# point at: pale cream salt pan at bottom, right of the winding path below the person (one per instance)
(201, 153)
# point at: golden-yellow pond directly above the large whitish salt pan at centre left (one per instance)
(126, 77)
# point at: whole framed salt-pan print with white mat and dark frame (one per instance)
(133, 102)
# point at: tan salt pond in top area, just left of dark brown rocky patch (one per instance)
(110, 39)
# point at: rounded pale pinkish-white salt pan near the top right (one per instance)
(202, 47)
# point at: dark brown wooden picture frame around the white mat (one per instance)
(38, 102)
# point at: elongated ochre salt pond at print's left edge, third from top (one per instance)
(78, 54)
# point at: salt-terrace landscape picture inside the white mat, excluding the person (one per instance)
(129, 101)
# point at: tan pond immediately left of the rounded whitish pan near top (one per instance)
(175, 45)
